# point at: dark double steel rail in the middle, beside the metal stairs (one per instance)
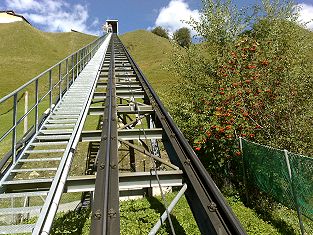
(105, 212)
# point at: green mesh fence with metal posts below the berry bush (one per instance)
(285, 177)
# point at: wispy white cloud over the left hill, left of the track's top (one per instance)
(56, 15)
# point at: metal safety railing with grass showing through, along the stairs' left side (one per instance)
(47, 89)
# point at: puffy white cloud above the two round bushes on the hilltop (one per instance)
(175, 15)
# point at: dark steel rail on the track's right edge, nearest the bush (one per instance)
(212, 213)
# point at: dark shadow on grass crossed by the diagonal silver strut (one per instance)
(159, 207)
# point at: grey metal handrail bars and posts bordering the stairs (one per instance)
(74, 64)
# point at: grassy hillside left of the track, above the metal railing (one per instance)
(26, 51)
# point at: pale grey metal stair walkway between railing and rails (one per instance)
(53, 144)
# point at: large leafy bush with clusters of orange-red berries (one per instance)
(252, 83)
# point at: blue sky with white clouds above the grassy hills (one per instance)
(88, 16)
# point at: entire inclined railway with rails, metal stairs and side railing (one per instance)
(134, 148)
